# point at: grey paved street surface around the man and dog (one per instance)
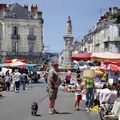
(16, 106)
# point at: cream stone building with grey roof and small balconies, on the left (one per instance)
(21, 32)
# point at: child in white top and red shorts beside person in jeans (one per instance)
(78, 95)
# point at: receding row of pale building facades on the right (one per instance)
(105, 35)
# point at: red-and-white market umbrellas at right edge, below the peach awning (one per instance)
(110, 67)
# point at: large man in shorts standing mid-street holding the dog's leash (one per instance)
(52, 87)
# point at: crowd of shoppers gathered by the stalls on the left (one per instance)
(11, 81)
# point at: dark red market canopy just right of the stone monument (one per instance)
(81, 56)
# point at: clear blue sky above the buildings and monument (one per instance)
(84, 15)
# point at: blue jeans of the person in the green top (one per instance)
(89, 97)
